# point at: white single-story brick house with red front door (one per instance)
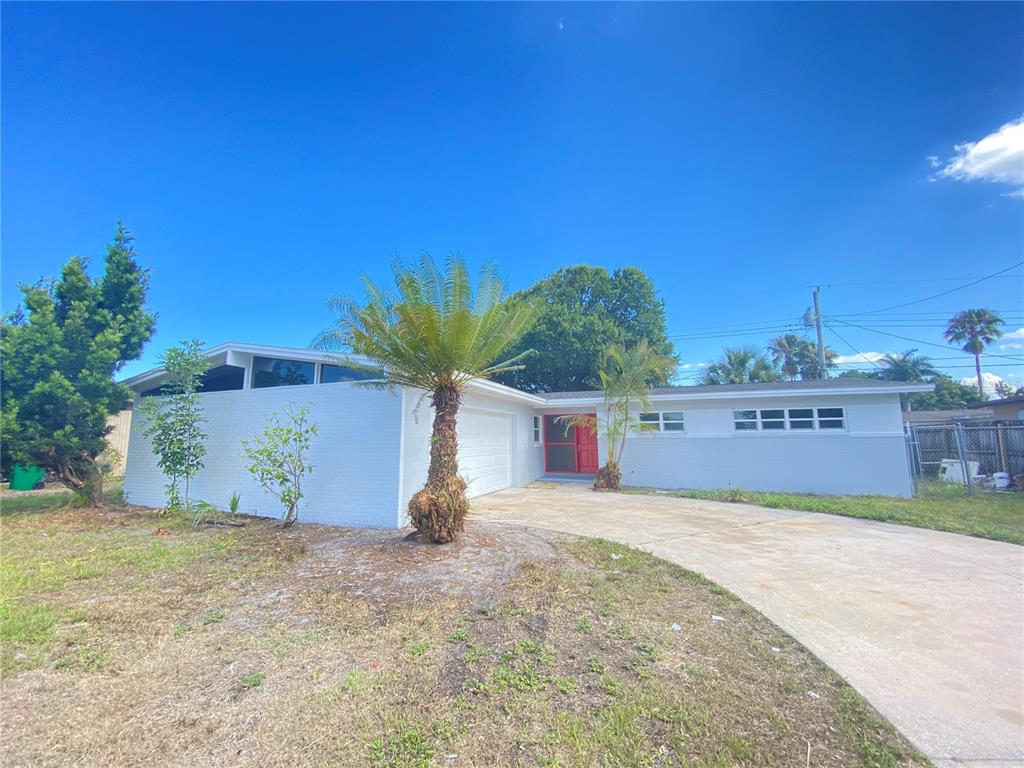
(836, 437)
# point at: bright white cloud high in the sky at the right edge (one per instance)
(999, 157)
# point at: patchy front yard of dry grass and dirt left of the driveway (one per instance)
(131, 641)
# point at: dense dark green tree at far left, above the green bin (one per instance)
(61, 352)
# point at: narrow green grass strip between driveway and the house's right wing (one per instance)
(941, 507)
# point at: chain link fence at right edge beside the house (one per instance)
(979, 458)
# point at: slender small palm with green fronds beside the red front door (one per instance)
(625, 374)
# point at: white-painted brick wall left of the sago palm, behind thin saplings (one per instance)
(356, 456)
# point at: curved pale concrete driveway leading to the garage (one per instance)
(928, 626)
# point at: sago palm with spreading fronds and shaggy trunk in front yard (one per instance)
(436, 333)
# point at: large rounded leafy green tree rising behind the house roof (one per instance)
(583, 310)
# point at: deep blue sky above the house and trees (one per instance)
(266, 155)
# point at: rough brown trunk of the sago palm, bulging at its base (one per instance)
(440, 509)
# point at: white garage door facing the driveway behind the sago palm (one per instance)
(485, 451)
